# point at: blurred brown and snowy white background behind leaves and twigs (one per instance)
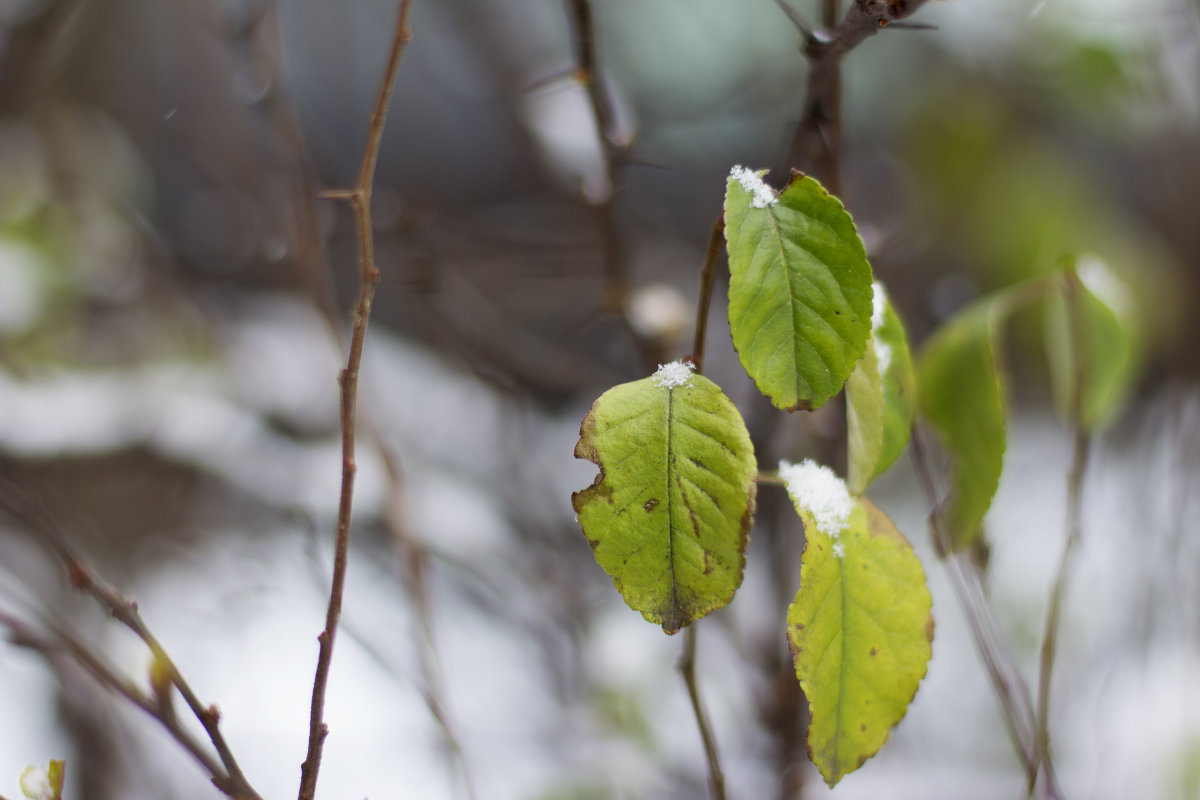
(172, 321)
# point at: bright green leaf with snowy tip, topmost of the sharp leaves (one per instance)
(800, 288)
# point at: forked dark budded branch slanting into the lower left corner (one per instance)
(226, 773)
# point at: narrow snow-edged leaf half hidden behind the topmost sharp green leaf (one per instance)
(880, 399)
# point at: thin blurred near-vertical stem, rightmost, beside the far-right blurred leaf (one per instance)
(1081, 450)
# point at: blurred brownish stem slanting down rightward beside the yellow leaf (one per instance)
(1006, 681)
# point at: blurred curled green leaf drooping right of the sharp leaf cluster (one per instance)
(962, 395)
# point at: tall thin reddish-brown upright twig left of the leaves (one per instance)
(361, 202)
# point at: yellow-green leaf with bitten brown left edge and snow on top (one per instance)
(669, 515)
